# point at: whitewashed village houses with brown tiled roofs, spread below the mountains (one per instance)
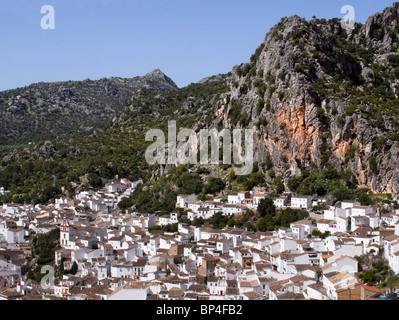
(120, 255)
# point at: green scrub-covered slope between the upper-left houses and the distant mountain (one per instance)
(38, 174)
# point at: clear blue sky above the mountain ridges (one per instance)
(188, 40)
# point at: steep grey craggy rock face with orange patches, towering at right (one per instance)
(297, 90)
